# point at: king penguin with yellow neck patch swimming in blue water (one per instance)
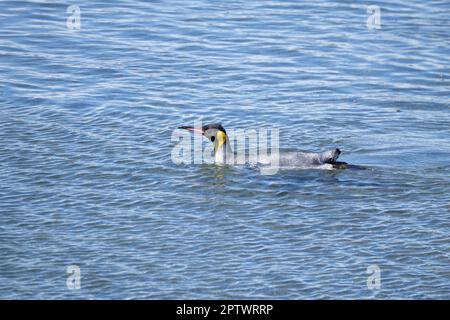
(223, 154)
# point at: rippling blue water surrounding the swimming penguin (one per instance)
(86, 118)
